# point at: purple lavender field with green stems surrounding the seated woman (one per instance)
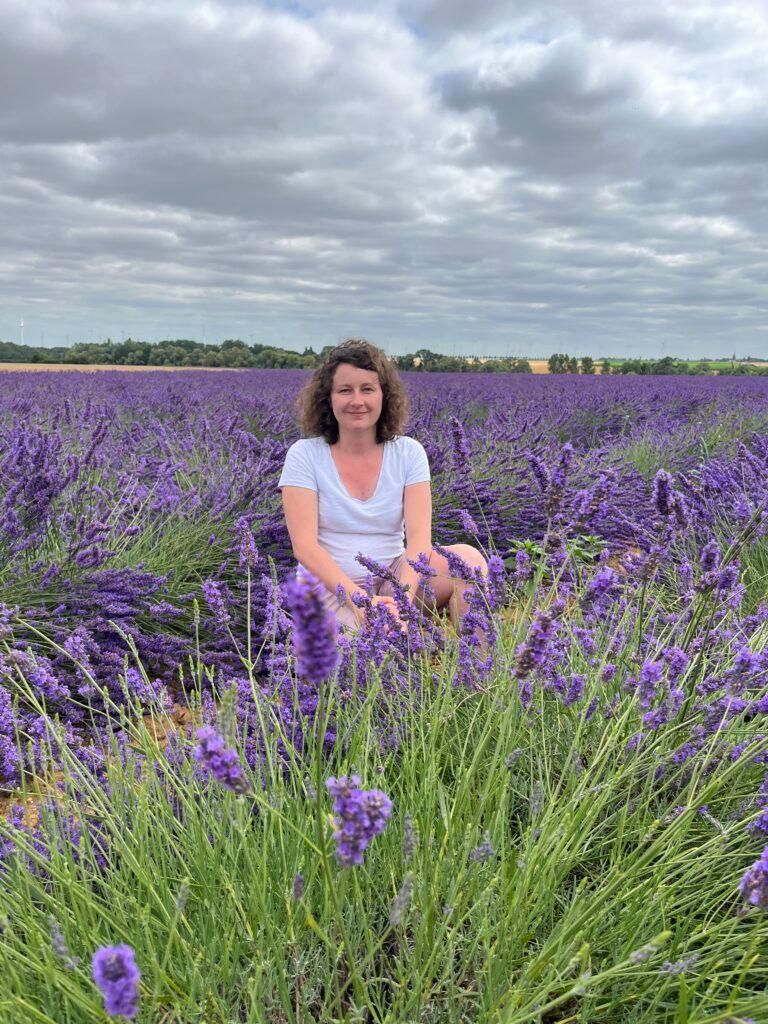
(560, 815)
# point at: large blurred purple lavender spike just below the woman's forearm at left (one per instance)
(315, 631)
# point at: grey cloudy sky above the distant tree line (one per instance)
(489, 178)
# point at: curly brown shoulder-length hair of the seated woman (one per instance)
(316, 414)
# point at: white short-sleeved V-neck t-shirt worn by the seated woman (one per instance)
(348, 526)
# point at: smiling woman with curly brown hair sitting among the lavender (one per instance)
(356, 483)
